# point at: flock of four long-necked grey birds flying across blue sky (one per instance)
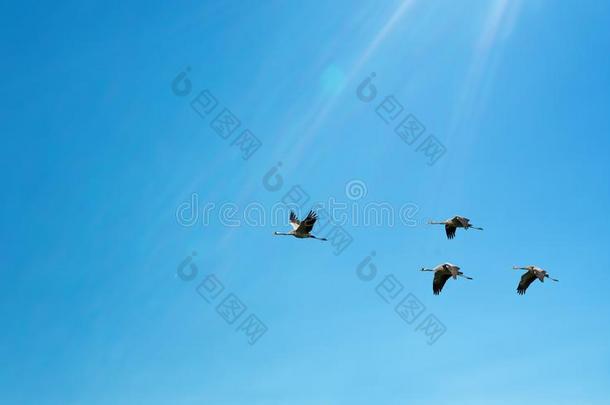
(442, 272)
